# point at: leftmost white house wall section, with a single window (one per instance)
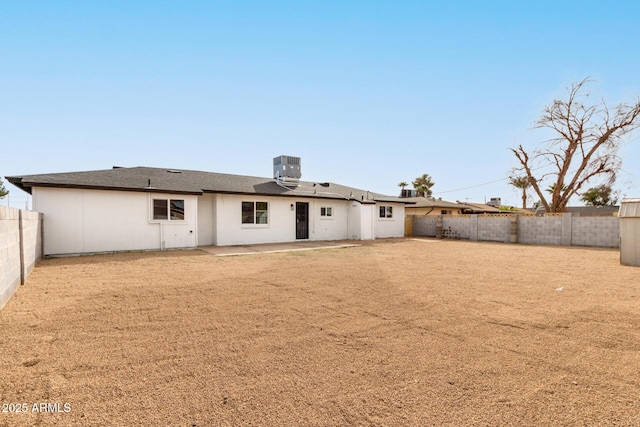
(87, 221)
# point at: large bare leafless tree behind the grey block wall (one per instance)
(585, 146)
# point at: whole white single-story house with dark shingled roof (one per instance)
(142, 208)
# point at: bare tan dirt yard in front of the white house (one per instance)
(392, 333)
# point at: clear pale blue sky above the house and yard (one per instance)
(368, 94)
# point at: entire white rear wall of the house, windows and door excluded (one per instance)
(86, 221)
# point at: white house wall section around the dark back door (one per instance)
(282, 220)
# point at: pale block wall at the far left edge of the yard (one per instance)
(10, 260)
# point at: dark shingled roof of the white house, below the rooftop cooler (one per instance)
(181, 181)
